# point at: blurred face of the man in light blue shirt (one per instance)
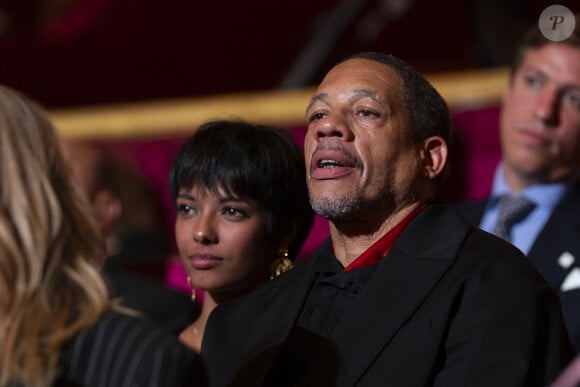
(540, 121)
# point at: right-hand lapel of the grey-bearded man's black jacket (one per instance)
(419, 258)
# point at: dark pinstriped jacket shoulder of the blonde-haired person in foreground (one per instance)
(121, 349)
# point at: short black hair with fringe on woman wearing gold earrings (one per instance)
(255, 162)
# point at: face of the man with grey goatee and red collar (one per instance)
(360, 160)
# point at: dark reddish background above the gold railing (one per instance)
(68, 53)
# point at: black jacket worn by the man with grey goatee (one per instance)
(450, 305)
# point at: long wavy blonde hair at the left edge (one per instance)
(50, 248)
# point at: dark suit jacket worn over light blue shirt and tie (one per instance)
(560, 235)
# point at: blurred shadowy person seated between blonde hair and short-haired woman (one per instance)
(125, 209)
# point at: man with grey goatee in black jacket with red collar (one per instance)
(404, 292)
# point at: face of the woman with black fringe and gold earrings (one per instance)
(224, 241)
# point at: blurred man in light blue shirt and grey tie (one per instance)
(540, 167)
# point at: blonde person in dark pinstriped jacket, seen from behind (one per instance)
(58, 326)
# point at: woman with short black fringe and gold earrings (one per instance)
(242, 211)
